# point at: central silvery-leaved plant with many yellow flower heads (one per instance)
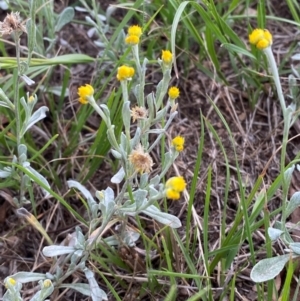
(139, 189)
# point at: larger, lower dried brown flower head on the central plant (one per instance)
(141, 161)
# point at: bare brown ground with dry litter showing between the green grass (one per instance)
(257, 134)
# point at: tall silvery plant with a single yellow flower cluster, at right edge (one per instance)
(269, 268)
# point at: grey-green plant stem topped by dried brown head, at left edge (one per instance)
(13, 25)
